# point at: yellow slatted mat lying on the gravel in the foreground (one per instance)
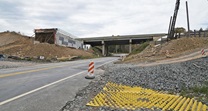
(132, 98)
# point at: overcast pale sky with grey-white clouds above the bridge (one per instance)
(89, 18)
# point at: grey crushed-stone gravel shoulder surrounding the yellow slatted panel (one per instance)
(172, 78)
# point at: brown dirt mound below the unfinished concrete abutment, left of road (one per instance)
(23, 46)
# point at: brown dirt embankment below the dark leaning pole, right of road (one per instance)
(170, 49)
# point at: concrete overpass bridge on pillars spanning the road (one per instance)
(105, 41)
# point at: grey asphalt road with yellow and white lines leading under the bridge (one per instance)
(45, 87)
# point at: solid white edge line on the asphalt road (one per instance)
(27, 93)
